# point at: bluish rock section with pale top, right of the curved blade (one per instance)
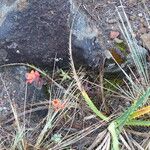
(85, 39)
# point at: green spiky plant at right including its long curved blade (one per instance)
(138, 92)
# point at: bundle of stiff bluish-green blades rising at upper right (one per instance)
(138, 54)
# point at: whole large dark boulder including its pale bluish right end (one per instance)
(37, 32)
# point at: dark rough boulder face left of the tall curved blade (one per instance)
(37, 33)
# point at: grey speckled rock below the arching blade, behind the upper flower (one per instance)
(15, 90)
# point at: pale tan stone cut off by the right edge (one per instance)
(146, 40)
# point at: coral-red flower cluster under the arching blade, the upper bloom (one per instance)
(32, 76)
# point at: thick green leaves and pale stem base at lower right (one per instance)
(115, 127)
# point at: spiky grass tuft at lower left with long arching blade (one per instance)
(19, 139)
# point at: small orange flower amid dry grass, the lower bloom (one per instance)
(57, 104)
